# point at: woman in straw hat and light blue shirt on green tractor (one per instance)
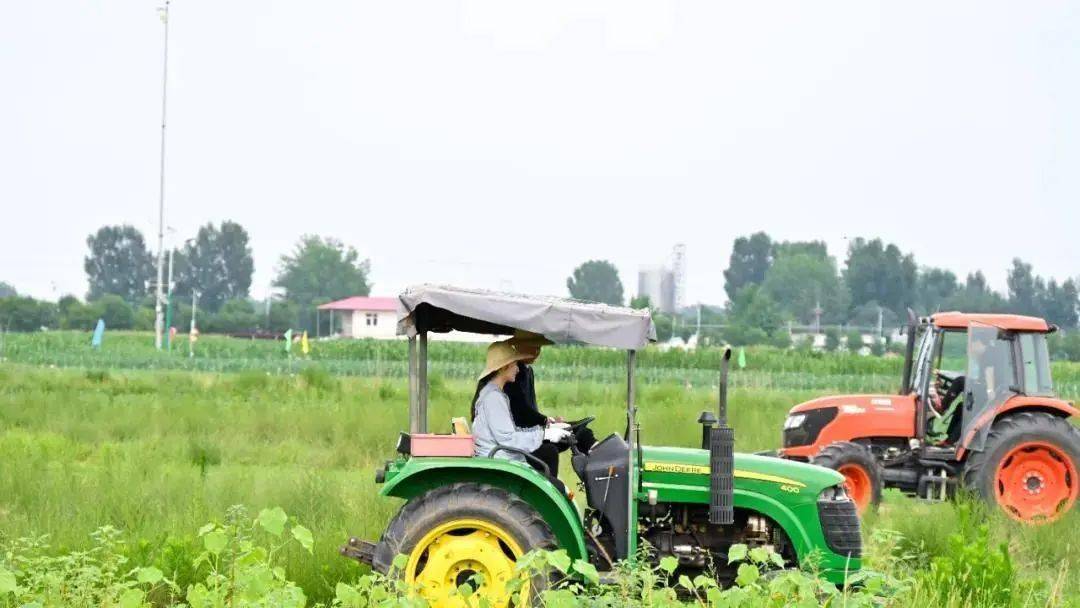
(493, 425)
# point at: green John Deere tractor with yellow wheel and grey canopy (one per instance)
(466, 516)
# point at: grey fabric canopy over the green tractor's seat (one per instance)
(441, 309)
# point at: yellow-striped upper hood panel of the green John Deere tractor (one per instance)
(752, 471)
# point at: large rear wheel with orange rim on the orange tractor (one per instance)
(1029, 467)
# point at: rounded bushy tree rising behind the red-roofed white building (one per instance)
(321, 271)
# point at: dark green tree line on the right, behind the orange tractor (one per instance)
(773, 283)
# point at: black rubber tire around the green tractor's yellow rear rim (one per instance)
(463, 502)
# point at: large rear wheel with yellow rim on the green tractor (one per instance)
(455, 533)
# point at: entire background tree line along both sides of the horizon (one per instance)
(769, 285)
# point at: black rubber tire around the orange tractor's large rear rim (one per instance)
(981, 469)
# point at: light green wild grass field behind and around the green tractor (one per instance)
(159, 453)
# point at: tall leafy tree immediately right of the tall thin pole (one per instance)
(218, 263)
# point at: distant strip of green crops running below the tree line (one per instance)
(766, 368)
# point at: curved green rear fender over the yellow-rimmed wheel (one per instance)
(418, 476)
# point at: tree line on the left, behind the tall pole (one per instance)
(212, 271)
